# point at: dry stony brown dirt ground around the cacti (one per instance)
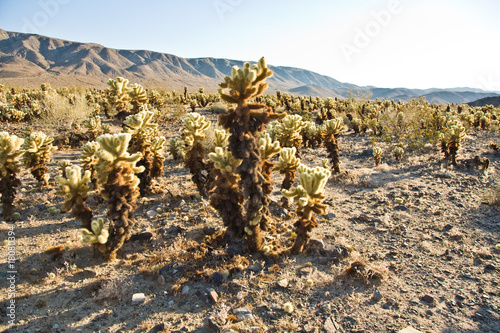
(421, 225)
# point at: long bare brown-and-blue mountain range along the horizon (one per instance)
(30, 60)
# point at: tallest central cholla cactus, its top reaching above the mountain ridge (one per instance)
(244, 123)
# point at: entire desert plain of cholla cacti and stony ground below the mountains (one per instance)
(139, 210)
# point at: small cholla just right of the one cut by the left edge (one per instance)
(38, 148)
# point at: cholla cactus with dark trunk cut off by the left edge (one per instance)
(9, 168)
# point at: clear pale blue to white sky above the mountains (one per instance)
(384, 43)
